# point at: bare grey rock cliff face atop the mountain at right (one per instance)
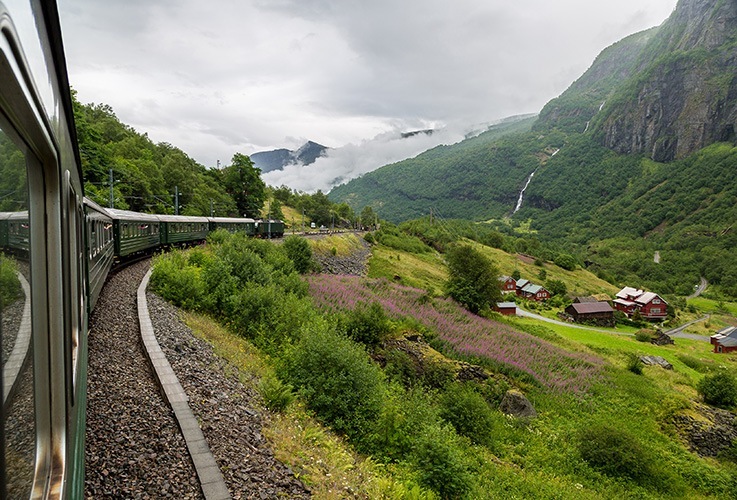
(684, 95)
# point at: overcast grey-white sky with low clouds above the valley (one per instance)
(221, 77)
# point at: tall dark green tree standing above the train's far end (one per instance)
(243, 182)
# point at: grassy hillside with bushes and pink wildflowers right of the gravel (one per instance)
(388, 367)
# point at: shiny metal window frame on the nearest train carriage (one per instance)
(32, 119)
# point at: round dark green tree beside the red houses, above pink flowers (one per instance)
(474, 280)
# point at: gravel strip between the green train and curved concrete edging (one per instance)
(134, 448)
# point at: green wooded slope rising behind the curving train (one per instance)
(154, 177)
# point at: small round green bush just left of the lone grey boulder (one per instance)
(468, 412)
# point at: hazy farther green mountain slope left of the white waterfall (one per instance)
(472, 179)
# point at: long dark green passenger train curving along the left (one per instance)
(63, 247)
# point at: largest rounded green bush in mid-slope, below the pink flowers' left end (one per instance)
(336, 378)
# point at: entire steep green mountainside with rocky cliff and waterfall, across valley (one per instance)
(637, 156)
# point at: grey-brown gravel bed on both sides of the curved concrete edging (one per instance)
(134, 445)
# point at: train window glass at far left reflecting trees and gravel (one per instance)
(18, 424)
